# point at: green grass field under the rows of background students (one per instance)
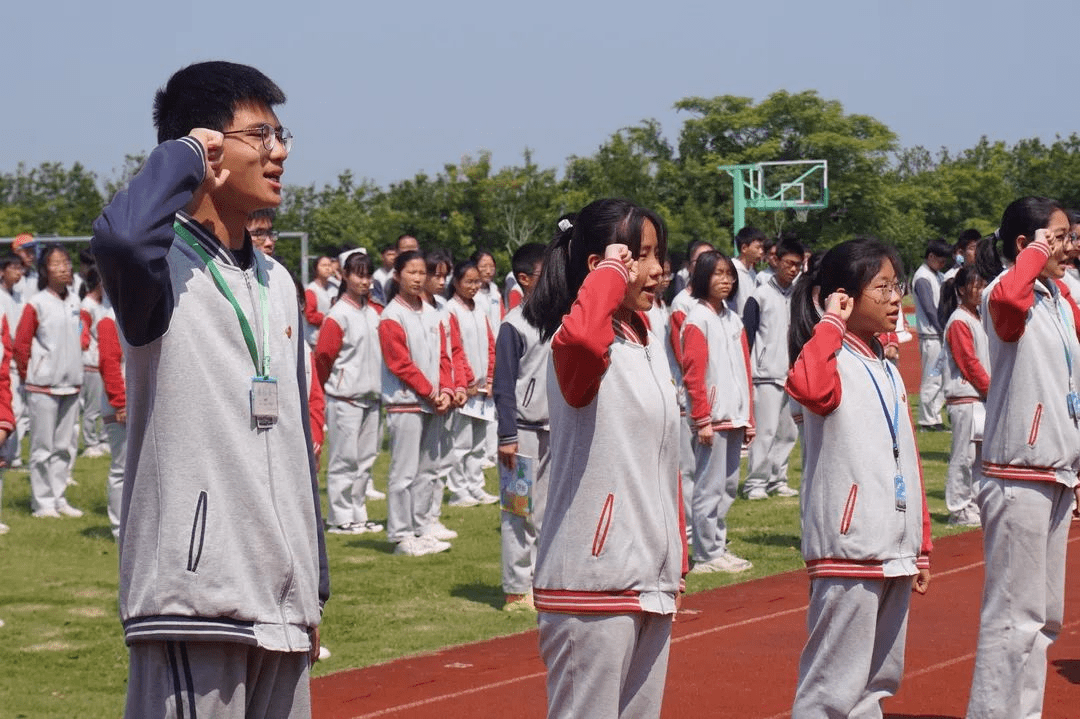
(62, 650)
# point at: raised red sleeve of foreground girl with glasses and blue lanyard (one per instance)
(815, 381)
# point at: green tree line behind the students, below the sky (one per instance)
(903, 196)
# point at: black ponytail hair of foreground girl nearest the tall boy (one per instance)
(587, 233)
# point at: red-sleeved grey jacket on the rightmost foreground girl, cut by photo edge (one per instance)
(1030, 435)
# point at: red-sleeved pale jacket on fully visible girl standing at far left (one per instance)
(49, 344)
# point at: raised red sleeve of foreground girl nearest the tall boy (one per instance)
(582, 346)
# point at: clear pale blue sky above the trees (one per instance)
(391, 89)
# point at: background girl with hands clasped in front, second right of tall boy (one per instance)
(416, 391)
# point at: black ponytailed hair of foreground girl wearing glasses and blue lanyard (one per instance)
(849, 266)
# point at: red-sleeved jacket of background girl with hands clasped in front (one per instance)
(416, 365)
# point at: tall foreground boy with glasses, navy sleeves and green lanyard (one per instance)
(223, 563)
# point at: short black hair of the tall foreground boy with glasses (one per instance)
(208, 94)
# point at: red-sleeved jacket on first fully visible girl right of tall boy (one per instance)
(348, 357)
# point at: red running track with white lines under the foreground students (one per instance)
(735, 654)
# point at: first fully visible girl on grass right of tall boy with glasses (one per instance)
(349, 369)
